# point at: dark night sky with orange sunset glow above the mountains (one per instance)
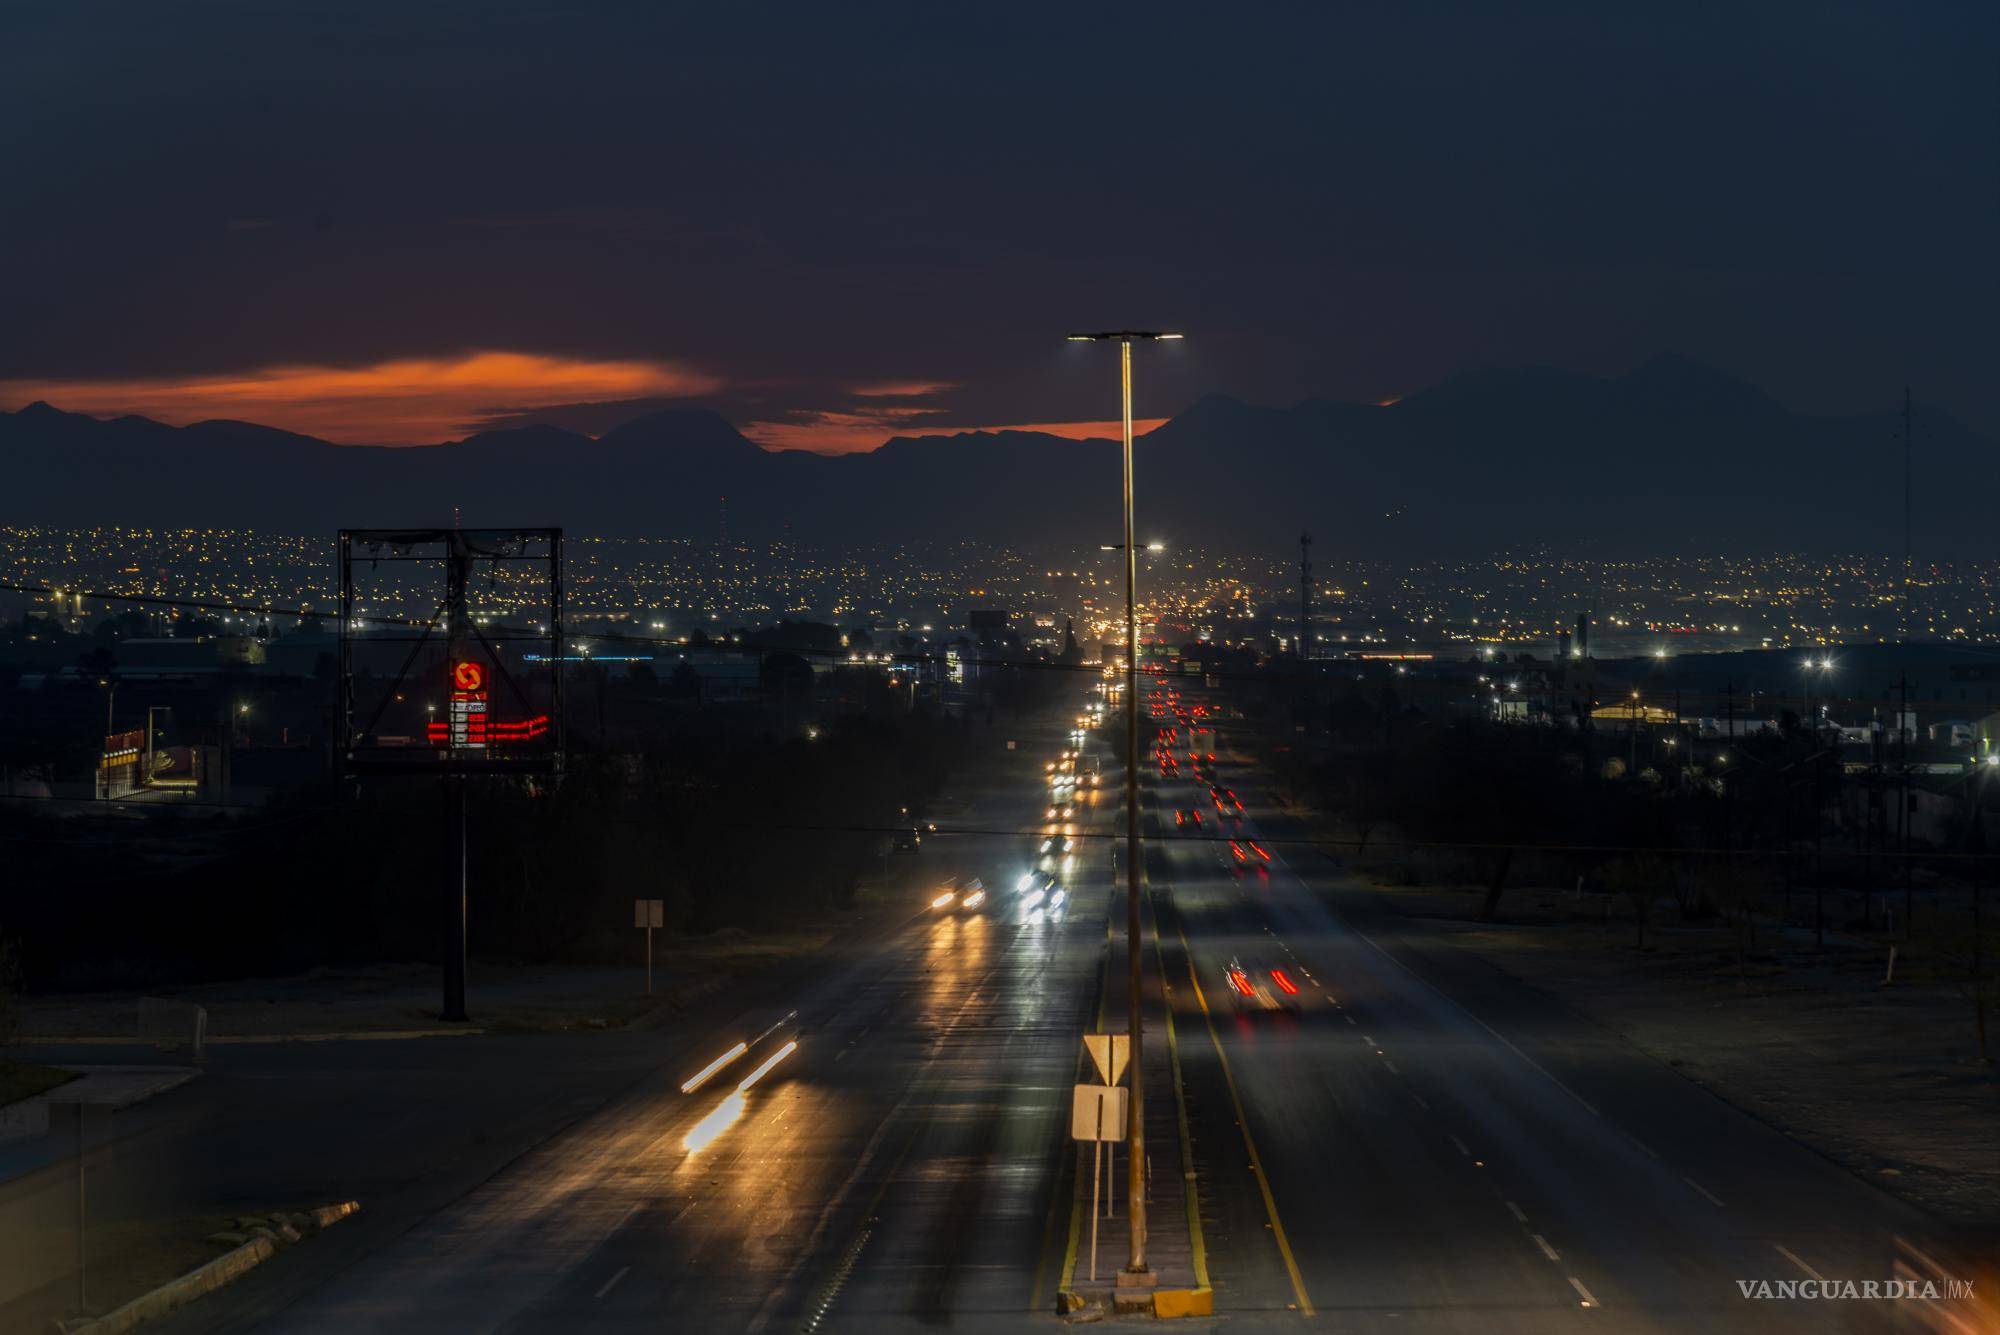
(399, 223)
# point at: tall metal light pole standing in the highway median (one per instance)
(1137, 1118)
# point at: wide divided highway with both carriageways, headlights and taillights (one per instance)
(1409, 1142)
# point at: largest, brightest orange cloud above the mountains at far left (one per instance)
(407, 401)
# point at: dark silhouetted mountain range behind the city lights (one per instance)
(1671, 459)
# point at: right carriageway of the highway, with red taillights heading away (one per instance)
(1429, 1146)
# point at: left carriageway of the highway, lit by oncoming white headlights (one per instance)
(899, 1168)
